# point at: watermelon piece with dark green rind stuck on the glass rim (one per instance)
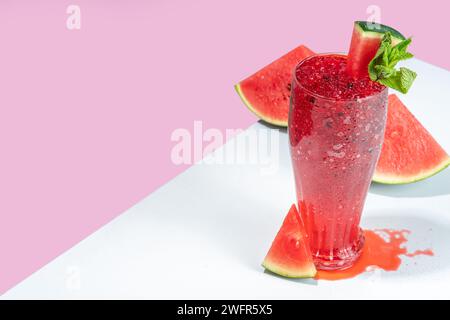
(365, 42)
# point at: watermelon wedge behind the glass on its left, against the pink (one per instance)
(266, 93)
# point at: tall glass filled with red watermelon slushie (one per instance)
(336, 128)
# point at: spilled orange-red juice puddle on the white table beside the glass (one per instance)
(378, 253)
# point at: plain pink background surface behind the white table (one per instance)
(86, 116)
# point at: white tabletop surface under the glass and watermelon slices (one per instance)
(204, 234)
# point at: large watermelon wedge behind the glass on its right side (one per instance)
(409, 152)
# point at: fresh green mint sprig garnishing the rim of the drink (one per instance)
(382, 67)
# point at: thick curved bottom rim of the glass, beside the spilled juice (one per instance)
(342, 260)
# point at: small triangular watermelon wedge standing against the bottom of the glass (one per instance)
(290, 255)
